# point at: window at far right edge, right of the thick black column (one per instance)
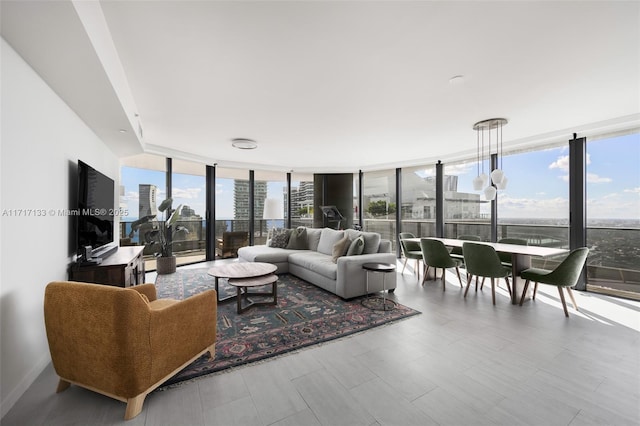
(613, 215)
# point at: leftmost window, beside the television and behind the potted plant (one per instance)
(143, 187)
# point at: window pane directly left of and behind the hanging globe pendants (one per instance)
(466, 212)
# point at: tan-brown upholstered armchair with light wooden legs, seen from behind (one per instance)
(124, 342)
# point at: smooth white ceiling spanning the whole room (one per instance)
(333, 86)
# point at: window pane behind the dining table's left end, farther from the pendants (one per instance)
(418, 209)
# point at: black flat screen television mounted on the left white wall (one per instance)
(95, 213)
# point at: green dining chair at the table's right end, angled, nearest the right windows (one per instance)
(566, 275)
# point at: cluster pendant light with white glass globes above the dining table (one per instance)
(498, 179)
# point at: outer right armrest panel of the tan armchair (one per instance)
(181, 329)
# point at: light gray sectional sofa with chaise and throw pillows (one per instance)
(326, 258)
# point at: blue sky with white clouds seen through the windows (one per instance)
(537, 184)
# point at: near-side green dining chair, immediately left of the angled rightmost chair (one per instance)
(482, 260)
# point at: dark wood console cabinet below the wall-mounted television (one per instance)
(123, 268)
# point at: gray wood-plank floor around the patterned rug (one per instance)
(462, 361)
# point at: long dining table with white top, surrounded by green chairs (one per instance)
(521, 256)
